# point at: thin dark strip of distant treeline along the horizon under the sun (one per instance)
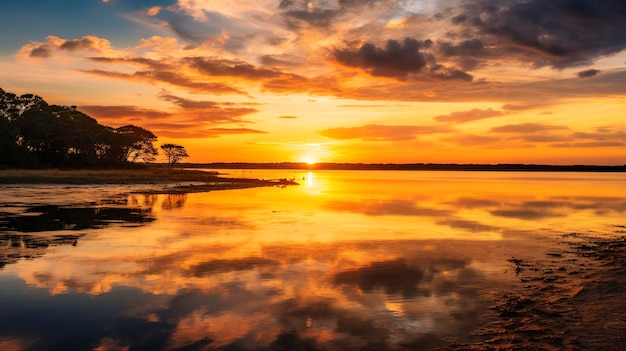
(409, 167)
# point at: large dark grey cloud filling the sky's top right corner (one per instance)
(557, 33)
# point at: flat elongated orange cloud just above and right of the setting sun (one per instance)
(378, 132)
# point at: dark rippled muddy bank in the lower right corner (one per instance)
(573, 299)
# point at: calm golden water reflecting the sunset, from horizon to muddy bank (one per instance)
(348, 260)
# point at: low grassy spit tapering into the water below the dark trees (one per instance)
(201, 180)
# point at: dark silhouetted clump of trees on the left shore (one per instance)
(35, 134)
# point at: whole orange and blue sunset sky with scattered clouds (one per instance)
(372, 81)
